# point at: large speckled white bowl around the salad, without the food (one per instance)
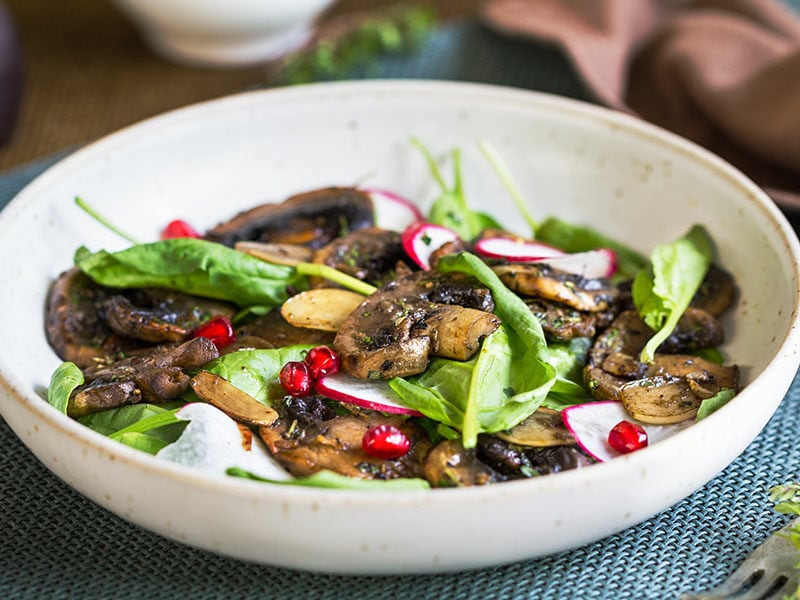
(580, 162)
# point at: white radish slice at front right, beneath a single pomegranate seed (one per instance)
(591, 423)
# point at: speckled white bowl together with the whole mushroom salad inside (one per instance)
(517, 320)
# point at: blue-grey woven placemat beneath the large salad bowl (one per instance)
(56, 544)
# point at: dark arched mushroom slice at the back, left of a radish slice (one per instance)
(311, 219)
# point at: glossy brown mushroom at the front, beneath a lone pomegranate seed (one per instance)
(310, 437)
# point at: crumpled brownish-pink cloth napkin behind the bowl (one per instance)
(724, 73)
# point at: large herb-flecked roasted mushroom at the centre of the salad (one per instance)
(394, 331)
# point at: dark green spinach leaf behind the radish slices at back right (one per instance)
(578, 238)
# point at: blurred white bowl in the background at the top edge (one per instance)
(223, 32)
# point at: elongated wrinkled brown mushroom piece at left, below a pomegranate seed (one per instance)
(157, 375)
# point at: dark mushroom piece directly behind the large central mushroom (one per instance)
(369, 254)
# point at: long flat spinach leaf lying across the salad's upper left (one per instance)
(193, 266)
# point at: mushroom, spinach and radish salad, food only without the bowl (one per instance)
(298, 342)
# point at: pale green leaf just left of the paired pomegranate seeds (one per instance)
(256, 371)
